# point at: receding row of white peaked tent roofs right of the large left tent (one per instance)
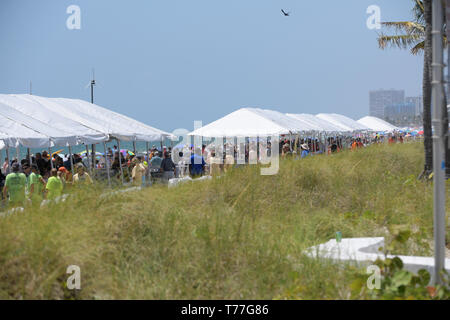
(256, 122)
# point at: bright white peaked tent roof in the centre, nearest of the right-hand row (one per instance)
(245, 122)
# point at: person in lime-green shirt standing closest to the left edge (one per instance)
(15, 184)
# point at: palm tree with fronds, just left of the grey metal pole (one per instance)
(416, 36)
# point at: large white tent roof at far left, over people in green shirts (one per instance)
(68, 122)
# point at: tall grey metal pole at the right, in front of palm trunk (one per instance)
(438, 140)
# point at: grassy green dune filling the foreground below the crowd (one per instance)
(240, 236)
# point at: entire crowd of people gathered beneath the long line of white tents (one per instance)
(42, 176)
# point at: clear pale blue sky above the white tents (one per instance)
(168, 63)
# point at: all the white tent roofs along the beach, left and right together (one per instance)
(38, 122)
